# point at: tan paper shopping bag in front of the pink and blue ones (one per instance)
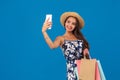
(86, 69)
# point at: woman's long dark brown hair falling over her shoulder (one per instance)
(78, 34)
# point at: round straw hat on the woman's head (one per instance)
(74, 14)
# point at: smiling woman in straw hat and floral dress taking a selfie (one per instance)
(72, 43)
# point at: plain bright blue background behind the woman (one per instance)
(24, 55)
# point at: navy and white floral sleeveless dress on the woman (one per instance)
(72, 50)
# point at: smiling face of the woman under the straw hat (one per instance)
(70, 24)
